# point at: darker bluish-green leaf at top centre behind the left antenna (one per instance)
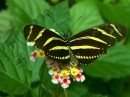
(58, 19)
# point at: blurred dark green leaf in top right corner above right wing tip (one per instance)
(116, 13)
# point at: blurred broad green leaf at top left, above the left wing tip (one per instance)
(24, 11)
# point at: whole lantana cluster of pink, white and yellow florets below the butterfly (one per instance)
(60, 74)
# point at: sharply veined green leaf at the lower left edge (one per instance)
(14, 73)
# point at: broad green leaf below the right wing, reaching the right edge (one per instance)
(115, 64)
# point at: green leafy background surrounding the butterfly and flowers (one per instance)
(109, 76)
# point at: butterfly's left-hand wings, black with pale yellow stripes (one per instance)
(53, 45)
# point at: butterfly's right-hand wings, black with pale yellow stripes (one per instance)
(90, 44)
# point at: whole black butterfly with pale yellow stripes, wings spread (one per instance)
(85, 46)
